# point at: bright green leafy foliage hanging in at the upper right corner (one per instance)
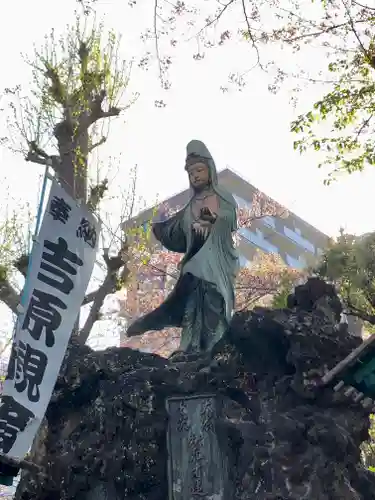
(340, 124)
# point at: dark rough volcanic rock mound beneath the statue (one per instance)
(290, 439)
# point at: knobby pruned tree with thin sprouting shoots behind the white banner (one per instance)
(77, 87)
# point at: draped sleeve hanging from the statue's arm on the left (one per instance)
(171, 233)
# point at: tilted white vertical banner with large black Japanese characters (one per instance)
(62, 261)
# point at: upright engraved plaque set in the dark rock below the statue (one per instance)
(196, 464)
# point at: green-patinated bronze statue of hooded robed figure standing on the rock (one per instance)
(202, 300)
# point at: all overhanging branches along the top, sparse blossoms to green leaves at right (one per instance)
(337, 34)
